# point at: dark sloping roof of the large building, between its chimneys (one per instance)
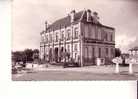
(66, 21)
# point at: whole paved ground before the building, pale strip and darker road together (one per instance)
(82, 73)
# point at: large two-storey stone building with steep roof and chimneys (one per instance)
(78, 37)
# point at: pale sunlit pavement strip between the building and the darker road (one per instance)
(106, 69)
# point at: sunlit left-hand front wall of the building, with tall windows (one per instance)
(69, 43)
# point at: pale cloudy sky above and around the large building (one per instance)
(29, 16)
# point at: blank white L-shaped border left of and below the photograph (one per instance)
(52, 89)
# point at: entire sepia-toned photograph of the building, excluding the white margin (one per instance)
(74, 40)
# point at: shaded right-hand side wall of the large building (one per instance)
(97, 33)
